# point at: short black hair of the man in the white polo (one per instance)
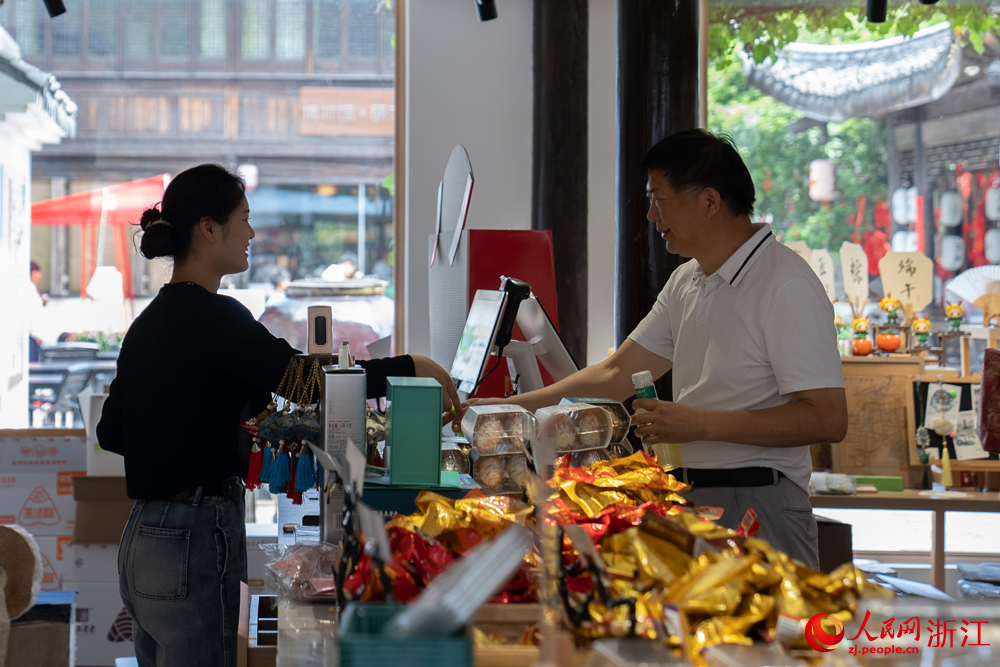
(696, 159)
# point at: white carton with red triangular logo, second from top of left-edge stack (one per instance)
(40, 502)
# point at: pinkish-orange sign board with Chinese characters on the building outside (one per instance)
(347, 111)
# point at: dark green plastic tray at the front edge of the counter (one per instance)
(362, 643)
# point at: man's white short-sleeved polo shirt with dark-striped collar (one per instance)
(745, 338)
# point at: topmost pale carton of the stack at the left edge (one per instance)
(50, 450)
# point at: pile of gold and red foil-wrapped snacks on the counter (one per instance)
(669, 573)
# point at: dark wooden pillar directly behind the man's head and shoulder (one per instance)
(657, 96)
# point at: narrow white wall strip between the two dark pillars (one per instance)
(602, 137)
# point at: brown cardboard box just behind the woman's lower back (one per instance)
(102, 509)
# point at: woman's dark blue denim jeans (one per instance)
(180, 565)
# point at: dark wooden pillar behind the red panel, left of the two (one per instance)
(559, 194)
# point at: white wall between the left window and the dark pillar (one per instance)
(468, 83)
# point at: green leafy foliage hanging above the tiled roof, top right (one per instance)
(763, 31)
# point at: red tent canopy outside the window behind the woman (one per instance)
(122, 204)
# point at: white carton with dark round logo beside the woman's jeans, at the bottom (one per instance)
(103, 627)
